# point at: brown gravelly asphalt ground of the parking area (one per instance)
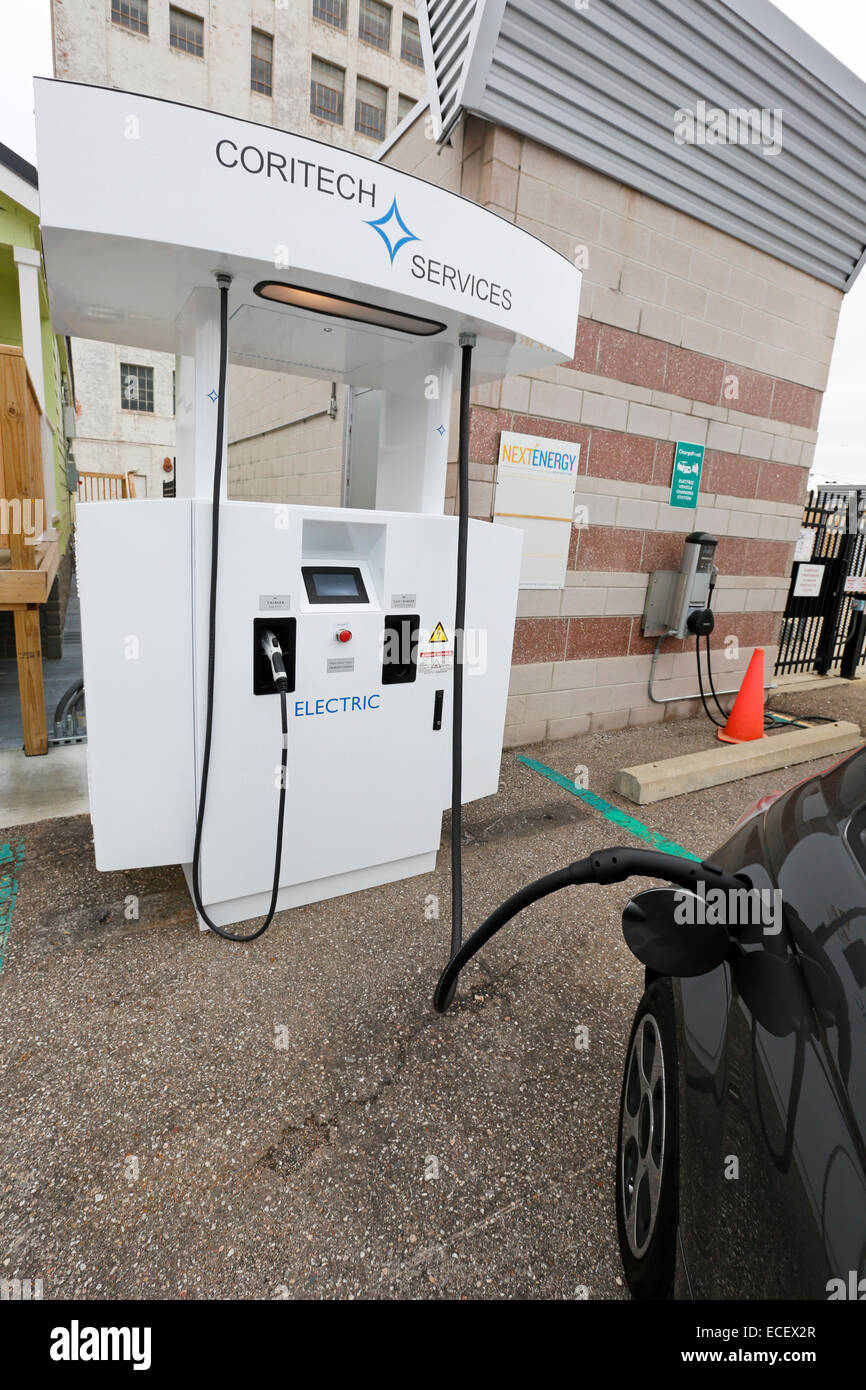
(191, 1120)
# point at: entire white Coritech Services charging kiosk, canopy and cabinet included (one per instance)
(344, 269)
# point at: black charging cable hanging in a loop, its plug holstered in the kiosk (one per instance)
(269, 646)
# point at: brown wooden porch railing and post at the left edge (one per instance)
(28, 555)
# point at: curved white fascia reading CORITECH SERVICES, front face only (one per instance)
(168, 174)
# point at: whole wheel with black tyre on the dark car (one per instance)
(647, 1150)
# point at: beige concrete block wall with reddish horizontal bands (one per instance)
(685, 334)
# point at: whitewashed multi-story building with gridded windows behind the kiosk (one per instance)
(344, 72)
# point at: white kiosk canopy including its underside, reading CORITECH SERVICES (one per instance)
(165, 195)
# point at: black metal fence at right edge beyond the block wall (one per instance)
(824, 594)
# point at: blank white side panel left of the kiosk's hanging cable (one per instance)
(134, 578)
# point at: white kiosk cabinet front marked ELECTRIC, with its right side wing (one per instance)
(366, 786)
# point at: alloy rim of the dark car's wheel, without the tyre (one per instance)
(643, 1136)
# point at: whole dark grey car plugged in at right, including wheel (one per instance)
(742, 1161)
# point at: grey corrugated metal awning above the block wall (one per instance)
(603, 83)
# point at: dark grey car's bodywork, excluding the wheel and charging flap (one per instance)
(774, 1063)
